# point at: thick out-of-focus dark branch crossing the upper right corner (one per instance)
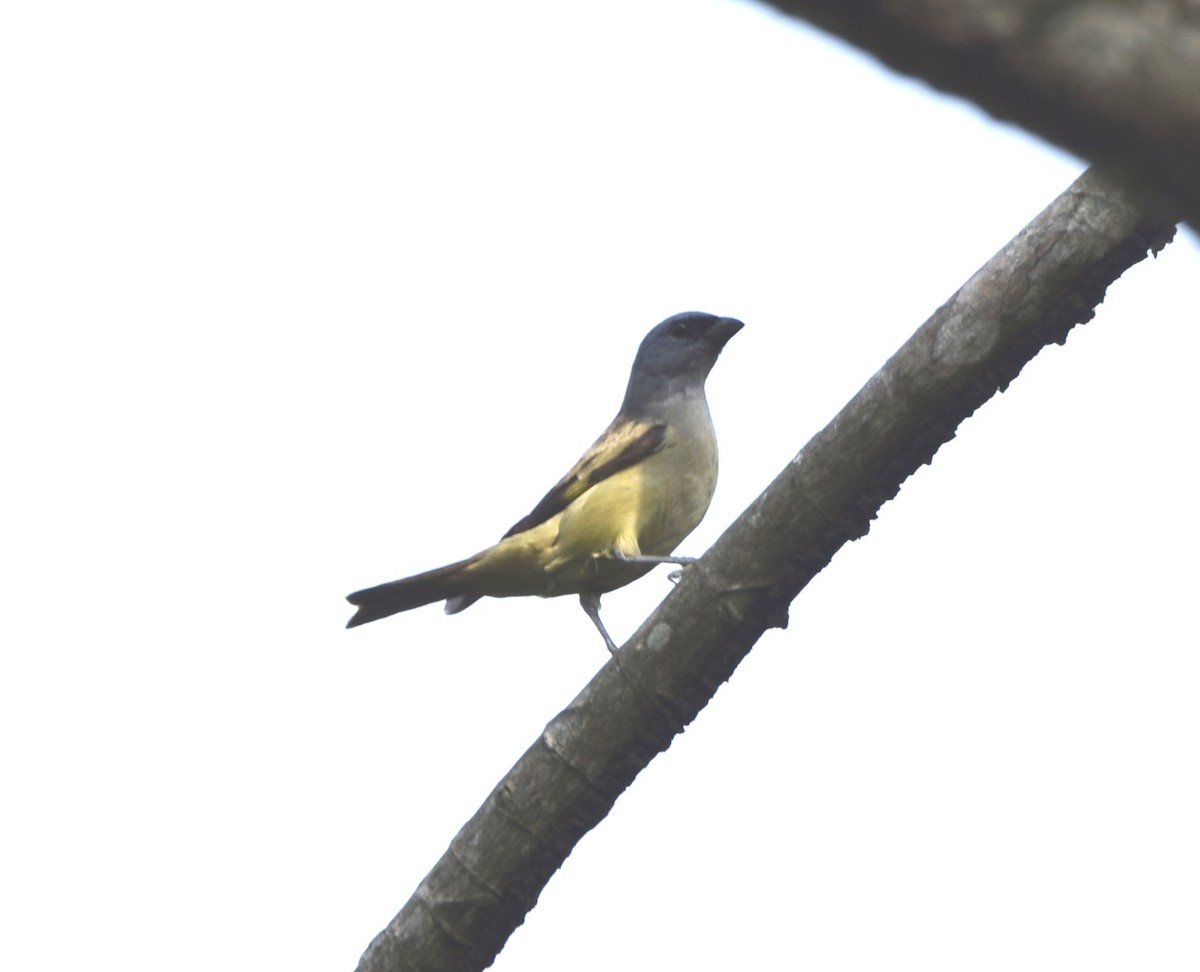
(1108, 80)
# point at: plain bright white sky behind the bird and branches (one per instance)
(301, 298)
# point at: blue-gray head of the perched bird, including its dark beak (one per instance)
(677, 357)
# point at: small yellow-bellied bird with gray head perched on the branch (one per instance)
(622, 509)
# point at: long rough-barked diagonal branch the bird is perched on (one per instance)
(1049, 279)
